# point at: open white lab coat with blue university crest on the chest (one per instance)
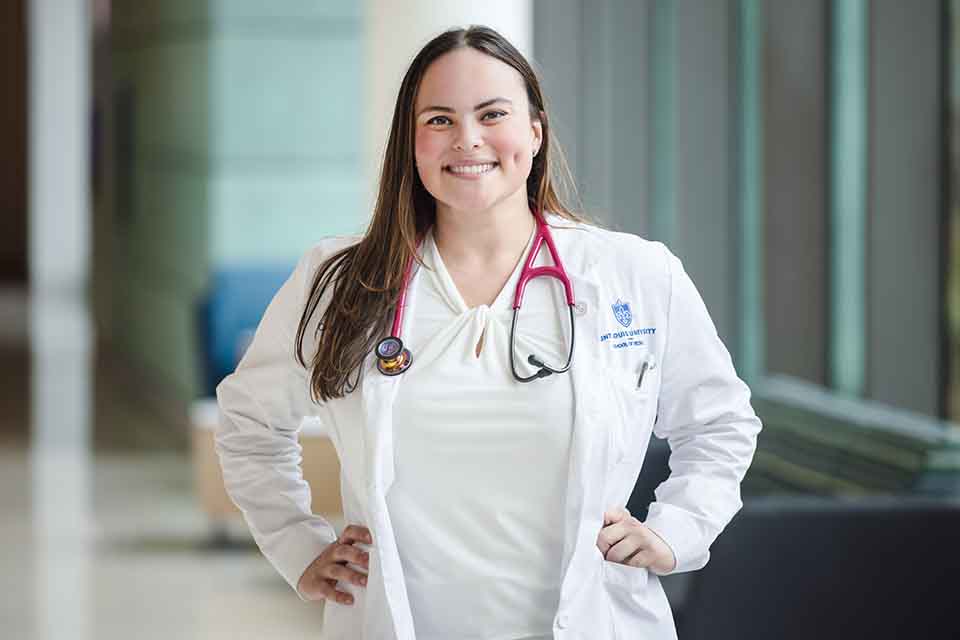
(692, 397)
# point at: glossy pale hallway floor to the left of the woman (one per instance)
(110, 542)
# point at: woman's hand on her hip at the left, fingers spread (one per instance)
(319, 580)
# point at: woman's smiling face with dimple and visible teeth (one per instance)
(474, 138)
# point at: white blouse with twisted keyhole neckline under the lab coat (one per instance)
(481, 460)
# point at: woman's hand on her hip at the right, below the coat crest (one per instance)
(626, 540)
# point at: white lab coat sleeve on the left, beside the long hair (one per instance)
(262, 405)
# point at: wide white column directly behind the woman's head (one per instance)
(395, 31)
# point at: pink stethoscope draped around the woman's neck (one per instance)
(393, 358)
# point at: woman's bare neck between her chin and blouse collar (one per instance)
(484, 237)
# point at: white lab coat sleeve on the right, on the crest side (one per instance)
(705, 415)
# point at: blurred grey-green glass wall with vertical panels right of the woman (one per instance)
(792, 155)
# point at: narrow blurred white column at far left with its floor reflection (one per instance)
(61, 335)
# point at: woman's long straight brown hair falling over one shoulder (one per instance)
(366, 277)
